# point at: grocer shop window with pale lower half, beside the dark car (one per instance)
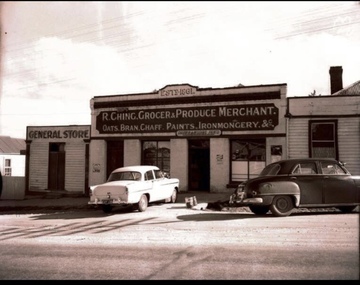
(248, 158)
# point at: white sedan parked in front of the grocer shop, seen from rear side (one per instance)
(136, 185)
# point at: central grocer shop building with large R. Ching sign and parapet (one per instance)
(209, 138)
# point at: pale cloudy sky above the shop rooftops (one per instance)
(57, 55)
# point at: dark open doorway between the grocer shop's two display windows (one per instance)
(199, 165)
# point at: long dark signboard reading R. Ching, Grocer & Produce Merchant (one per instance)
(187, 120)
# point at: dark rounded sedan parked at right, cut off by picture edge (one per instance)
(285, 185)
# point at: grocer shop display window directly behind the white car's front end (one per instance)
(157, 153)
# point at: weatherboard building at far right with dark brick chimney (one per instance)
(327, 126)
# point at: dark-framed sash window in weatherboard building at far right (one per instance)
(323, 139)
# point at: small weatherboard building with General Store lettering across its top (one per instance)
(57, 158)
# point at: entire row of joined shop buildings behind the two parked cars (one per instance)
(210, 138)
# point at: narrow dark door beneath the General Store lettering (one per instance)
(56, 175)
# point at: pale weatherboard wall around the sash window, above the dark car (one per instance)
(343, 110)
